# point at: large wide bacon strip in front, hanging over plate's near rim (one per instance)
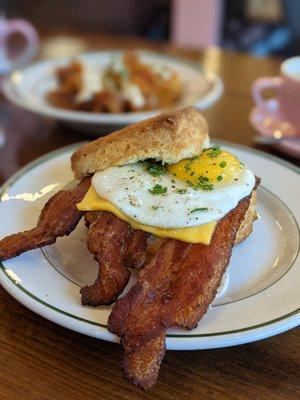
(175, 288)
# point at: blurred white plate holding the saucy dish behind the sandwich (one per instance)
(28, 86)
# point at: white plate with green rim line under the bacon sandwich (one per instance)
(262, 296)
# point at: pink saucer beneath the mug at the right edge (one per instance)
(268, 124)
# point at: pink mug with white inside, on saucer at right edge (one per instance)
(287, 87)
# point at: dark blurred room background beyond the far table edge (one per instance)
(260, 27)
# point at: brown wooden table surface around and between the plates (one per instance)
(40, 360)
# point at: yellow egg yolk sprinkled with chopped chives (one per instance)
(212, 166)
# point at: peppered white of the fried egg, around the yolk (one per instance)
(128, 188)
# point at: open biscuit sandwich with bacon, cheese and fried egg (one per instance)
(158, 197)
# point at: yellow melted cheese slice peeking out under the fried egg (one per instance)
(196, 234)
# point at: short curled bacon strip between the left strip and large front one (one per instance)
(115, 246)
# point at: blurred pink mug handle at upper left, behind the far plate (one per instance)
(23, 28)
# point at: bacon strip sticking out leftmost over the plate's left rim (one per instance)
(59, 217)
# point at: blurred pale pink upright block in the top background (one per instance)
(196, 23)
